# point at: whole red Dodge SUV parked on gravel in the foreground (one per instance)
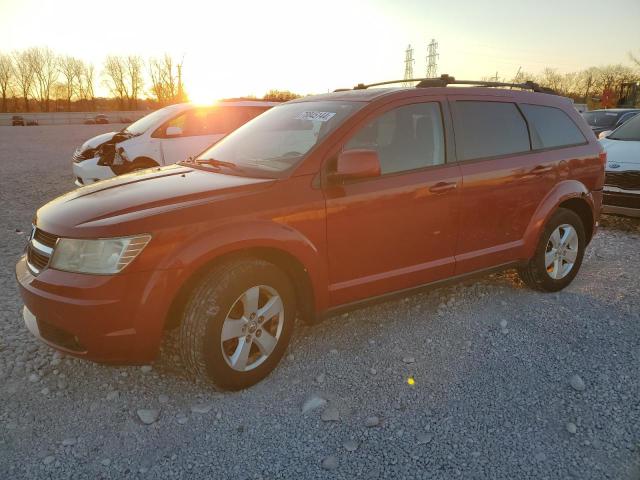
(317, 205)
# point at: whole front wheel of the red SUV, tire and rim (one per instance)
(237, 323)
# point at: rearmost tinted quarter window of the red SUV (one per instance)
(551, 127)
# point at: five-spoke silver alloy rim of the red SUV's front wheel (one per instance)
(252, 328)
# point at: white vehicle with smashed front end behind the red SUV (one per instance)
(165, 136)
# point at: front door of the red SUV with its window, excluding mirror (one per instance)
(398, 230)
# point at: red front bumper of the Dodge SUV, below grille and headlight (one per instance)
(110, 319)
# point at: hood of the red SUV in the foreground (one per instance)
(96, 208)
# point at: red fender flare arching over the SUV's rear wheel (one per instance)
(563, 191)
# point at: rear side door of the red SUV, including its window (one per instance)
(502, 182)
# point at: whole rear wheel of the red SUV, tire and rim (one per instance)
(559, 253)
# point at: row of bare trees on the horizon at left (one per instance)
(39, 79)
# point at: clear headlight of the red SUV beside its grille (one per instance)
(105, 256)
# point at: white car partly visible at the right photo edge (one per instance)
(622, 178)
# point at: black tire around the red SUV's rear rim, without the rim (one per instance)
(534, 274)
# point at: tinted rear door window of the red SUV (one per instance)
(489, 129)
